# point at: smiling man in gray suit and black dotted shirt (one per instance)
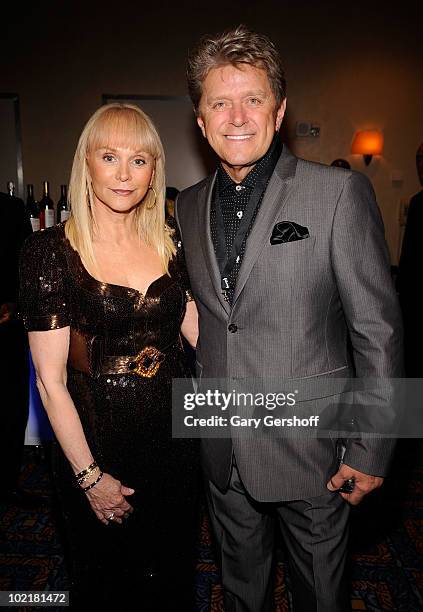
(290, 272)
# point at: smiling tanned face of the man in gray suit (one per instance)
(238, 116)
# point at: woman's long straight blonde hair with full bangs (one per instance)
(118, 125)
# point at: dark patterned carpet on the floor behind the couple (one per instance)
(386, 545)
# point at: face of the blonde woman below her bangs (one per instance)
(120, 177)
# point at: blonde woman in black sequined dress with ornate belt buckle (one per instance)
(104, 297)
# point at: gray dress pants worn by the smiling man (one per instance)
(315, 532)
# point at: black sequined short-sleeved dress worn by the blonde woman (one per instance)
(126, 419)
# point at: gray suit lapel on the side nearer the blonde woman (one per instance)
(203, 207)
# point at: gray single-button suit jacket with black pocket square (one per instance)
(318, 307)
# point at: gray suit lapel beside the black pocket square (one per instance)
(273, 202)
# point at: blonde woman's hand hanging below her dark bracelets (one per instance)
(107, 497)
